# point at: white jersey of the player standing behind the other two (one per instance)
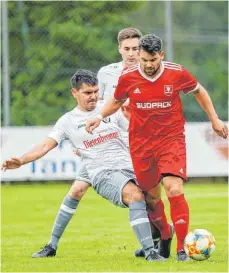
(108, 79)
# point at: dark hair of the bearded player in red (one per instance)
(151, 43)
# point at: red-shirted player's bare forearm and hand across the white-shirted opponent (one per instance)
(110, 107)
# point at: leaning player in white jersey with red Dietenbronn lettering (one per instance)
(100, 152)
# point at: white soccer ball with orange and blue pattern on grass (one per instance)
(199, 244)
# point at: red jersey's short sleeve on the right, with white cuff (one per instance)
(187, 82)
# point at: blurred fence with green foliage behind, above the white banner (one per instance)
(49, 40)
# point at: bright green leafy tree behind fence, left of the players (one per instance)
(48, 42)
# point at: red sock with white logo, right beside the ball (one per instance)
(180, 216)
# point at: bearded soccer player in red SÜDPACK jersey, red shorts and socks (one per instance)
(156, 131)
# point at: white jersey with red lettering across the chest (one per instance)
(104, 149)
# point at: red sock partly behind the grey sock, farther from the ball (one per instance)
(158, 218)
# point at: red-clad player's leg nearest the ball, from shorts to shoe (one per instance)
(172, 164)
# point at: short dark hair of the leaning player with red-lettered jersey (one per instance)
(83, 76)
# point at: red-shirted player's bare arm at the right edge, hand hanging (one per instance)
(205, 102)
